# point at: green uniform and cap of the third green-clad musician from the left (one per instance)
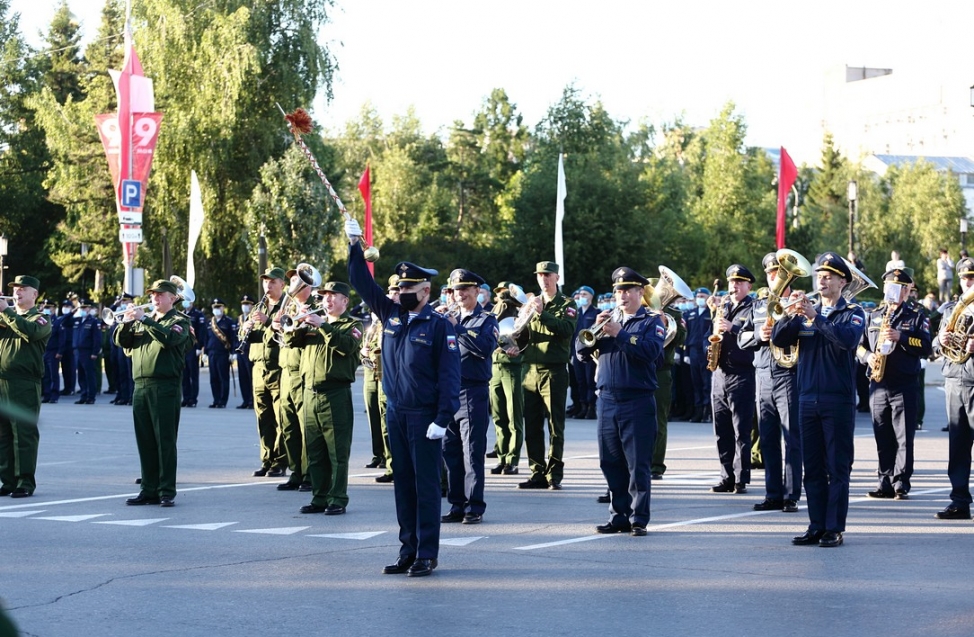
(264, 353)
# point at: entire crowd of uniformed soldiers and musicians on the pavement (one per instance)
(779, 374)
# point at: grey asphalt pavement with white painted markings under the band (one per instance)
(235, 557)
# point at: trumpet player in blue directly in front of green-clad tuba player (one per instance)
(629, 348)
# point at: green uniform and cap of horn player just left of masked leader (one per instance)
(329, 358)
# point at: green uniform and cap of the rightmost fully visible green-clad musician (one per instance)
(546, 386)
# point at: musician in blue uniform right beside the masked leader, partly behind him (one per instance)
(465, 444)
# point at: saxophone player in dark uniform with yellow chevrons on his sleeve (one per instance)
(897, 337)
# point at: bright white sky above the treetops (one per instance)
(645, 60)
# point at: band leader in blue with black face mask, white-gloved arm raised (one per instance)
(421, 379)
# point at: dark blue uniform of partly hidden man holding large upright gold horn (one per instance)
(777, 394)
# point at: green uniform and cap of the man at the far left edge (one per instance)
(23, 339)
